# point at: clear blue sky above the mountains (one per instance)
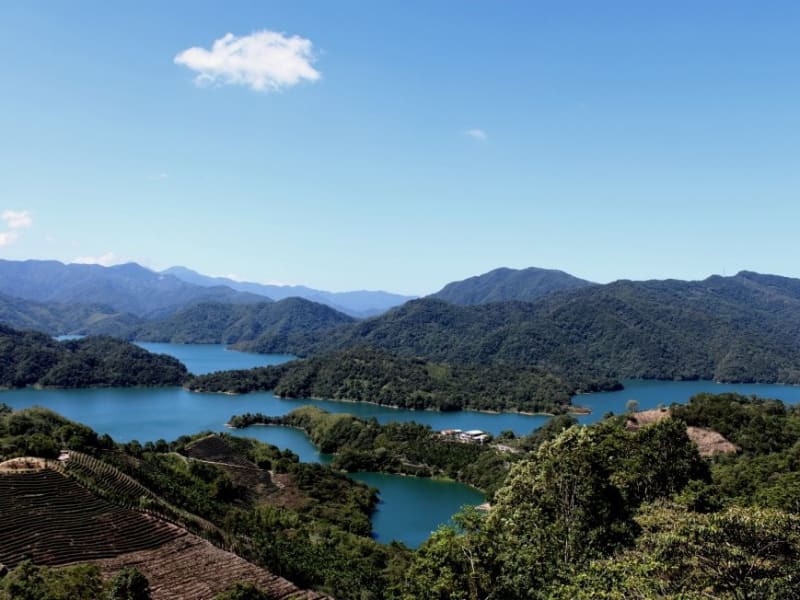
(402, 145)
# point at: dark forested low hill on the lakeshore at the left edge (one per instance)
(30, 358)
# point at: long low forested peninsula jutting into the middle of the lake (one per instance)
(368, 375)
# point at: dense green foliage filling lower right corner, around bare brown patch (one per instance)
(603, 512)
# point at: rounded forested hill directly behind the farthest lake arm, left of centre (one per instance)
(215, 323)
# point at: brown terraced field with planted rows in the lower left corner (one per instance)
(53, 520)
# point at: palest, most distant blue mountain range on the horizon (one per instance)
(359, 304)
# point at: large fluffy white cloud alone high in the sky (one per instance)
(266, 61)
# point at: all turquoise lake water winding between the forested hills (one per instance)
(410, 508)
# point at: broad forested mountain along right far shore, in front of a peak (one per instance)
(741, 328)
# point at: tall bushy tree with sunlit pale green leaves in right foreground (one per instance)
(555, 512)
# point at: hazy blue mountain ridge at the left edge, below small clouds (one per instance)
(128, 288)
